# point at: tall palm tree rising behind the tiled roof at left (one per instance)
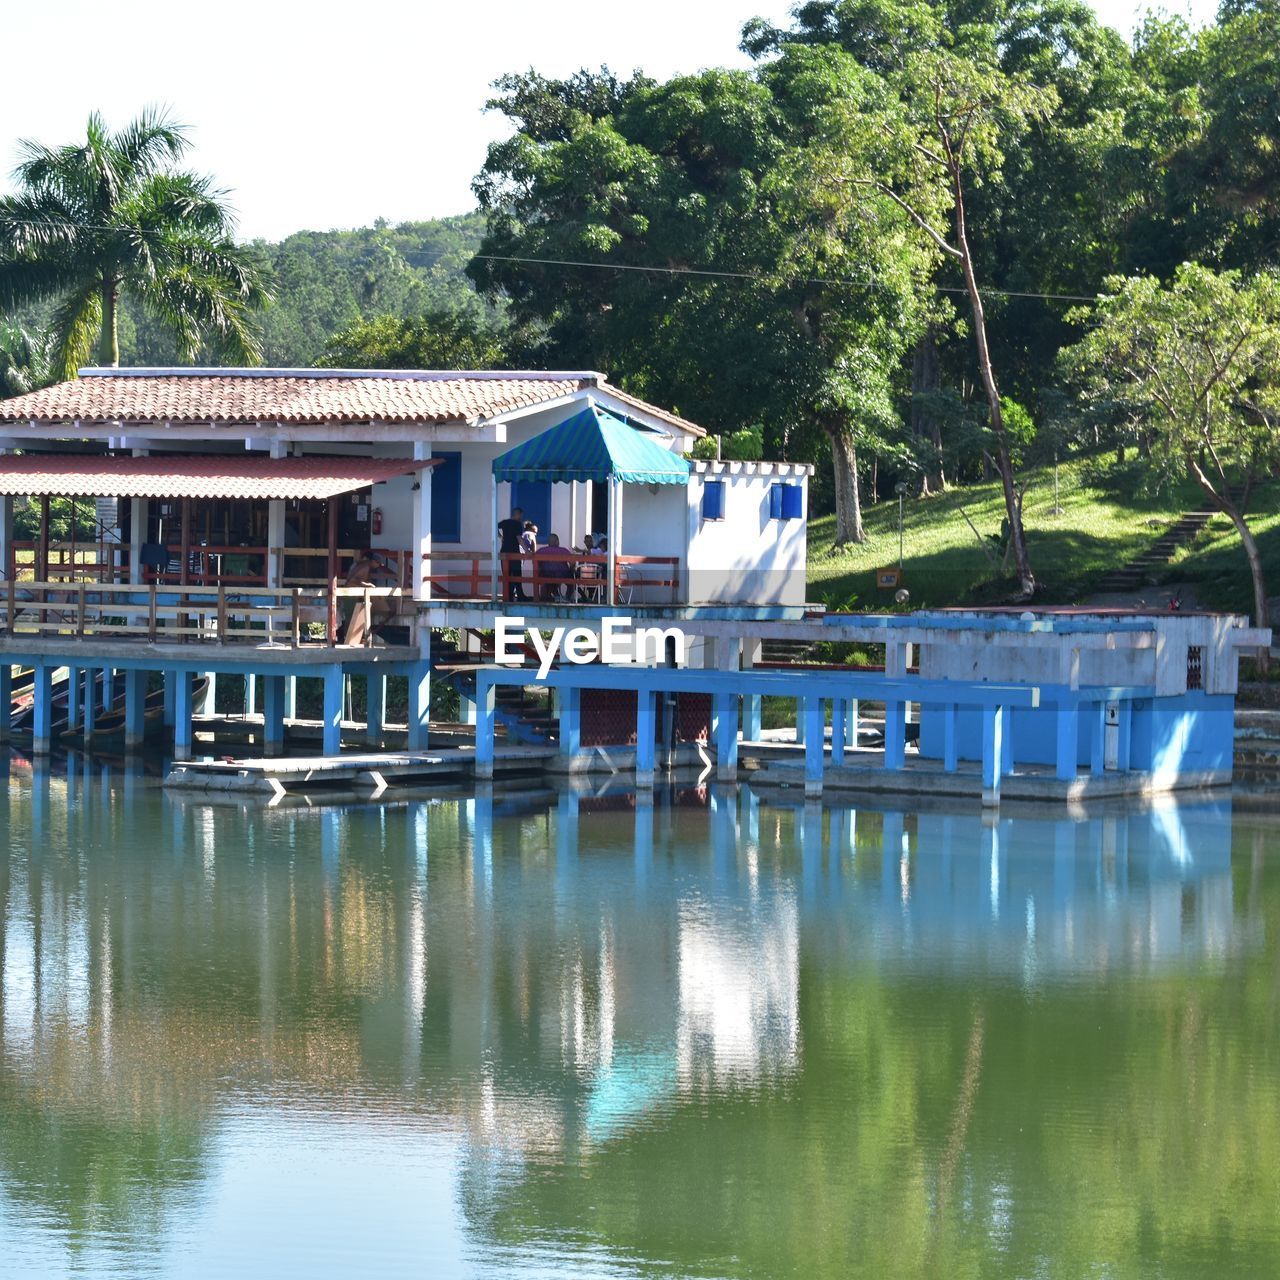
(109, 217)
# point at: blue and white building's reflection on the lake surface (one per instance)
(541, 976)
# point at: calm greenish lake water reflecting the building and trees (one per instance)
(586, 1037)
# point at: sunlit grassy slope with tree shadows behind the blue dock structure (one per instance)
(1108, 515)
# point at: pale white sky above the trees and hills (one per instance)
(319, 115)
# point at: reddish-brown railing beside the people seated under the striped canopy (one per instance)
(554, 574)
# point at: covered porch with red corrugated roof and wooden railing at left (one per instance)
(152, 572)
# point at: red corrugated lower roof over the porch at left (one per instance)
(186, 476)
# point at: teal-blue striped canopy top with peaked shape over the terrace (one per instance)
(593, 445)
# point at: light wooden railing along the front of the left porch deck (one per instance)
(225, 614)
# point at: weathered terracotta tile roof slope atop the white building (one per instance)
(295, 397)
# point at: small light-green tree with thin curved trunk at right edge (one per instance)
(1196, 365)
